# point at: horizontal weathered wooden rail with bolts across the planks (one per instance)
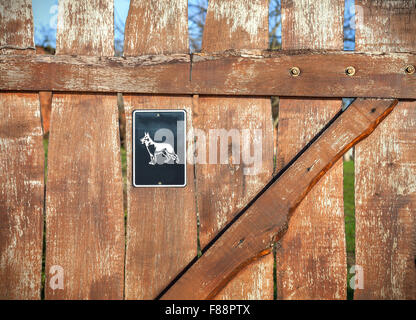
(236, 72)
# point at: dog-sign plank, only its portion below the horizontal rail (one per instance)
(161, 224)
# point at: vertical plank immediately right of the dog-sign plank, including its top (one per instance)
(223, 189)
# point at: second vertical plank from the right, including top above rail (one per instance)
(311, 258)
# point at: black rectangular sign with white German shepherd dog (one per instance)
(159, 148)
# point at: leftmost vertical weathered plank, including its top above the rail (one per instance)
(21, 167)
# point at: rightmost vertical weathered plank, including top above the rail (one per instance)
(385, 193)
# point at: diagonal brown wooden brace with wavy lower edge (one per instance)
(267, 217)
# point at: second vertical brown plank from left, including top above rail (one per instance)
(84, 198)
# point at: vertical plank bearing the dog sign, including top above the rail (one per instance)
(161, 224)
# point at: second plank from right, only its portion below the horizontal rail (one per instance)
(311, 260)
